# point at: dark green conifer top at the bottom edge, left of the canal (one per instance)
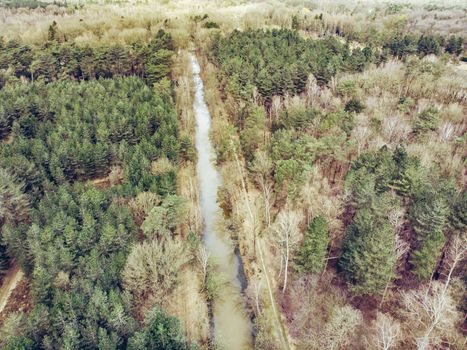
(160, 332)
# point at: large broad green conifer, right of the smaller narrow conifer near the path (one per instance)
(369, 258)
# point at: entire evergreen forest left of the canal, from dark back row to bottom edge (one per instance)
(85, 113)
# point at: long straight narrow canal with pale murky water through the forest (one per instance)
(232, 328)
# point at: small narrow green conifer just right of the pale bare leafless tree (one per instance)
(313, 250)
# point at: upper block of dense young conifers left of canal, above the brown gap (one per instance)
(70, 131)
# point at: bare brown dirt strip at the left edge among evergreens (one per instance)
(10, 281)
